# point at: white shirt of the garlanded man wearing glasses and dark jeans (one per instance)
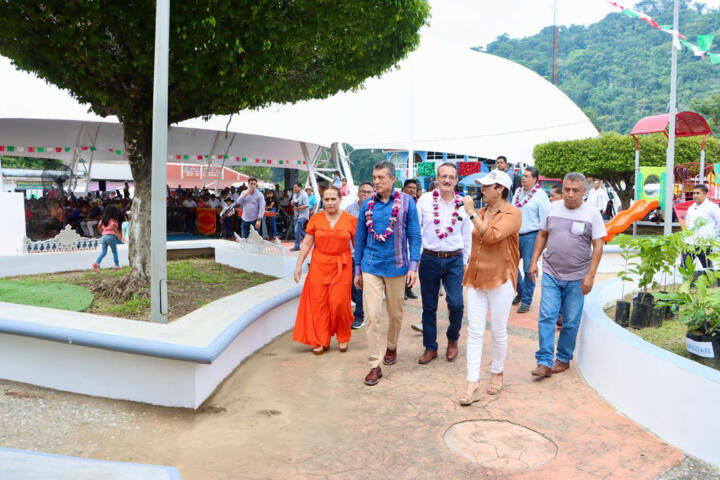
(461, 236)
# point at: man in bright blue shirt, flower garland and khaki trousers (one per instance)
(387, 252)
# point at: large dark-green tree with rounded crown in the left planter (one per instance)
(225, 56)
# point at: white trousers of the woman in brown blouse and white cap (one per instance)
(498, 301)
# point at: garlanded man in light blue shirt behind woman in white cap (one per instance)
(533, 202)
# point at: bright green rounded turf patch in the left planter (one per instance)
(46, 294)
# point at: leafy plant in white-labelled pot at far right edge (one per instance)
(699, 308)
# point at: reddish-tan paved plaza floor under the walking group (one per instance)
(286, 414)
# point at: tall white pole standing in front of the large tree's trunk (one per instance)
(158, 211)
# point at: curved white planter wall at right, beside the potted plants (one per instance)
(673, 397)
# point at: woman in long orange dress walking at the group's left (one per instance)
(324, 308)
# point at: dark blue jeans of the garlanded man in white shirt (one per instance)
(432, 271)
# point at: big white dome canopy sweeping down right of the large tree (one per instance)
(443, 97)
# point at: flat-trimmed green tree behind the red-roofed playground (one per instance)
(611, 157)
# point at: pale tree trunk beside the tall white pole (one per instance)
(138, 148)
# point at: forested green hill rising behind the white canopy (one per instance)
(618, 69)
